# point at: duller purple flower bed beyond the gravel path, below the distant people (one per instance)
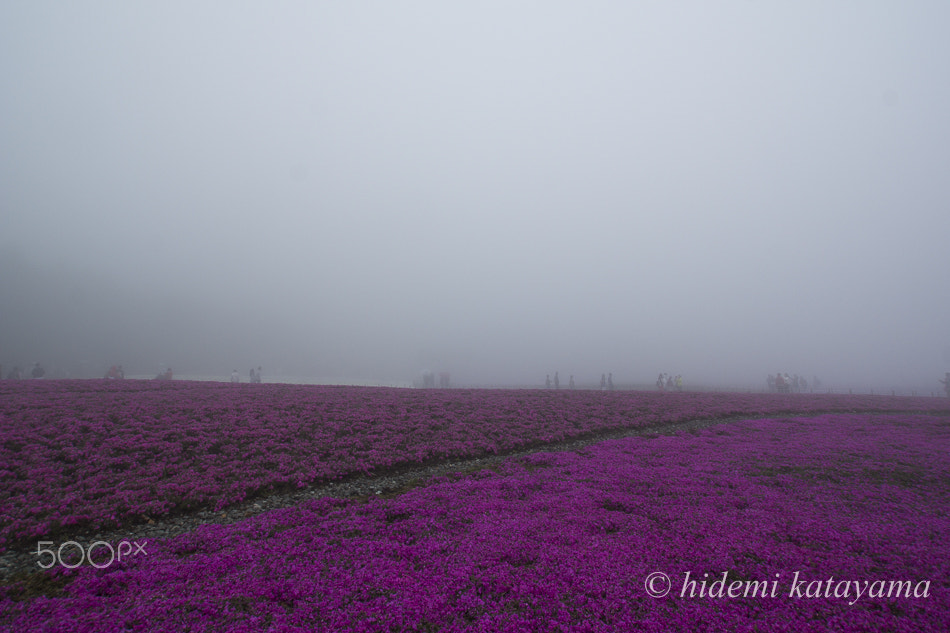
(94, 454)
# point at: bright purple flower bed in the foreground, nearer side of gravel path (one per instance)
(827, 512)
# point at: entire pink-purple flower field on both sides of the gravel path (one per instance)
(832, 515)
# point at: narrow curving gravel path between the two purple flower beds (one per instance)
(20, 573)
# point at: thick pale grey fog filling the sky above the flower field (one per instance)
(363, 191)
